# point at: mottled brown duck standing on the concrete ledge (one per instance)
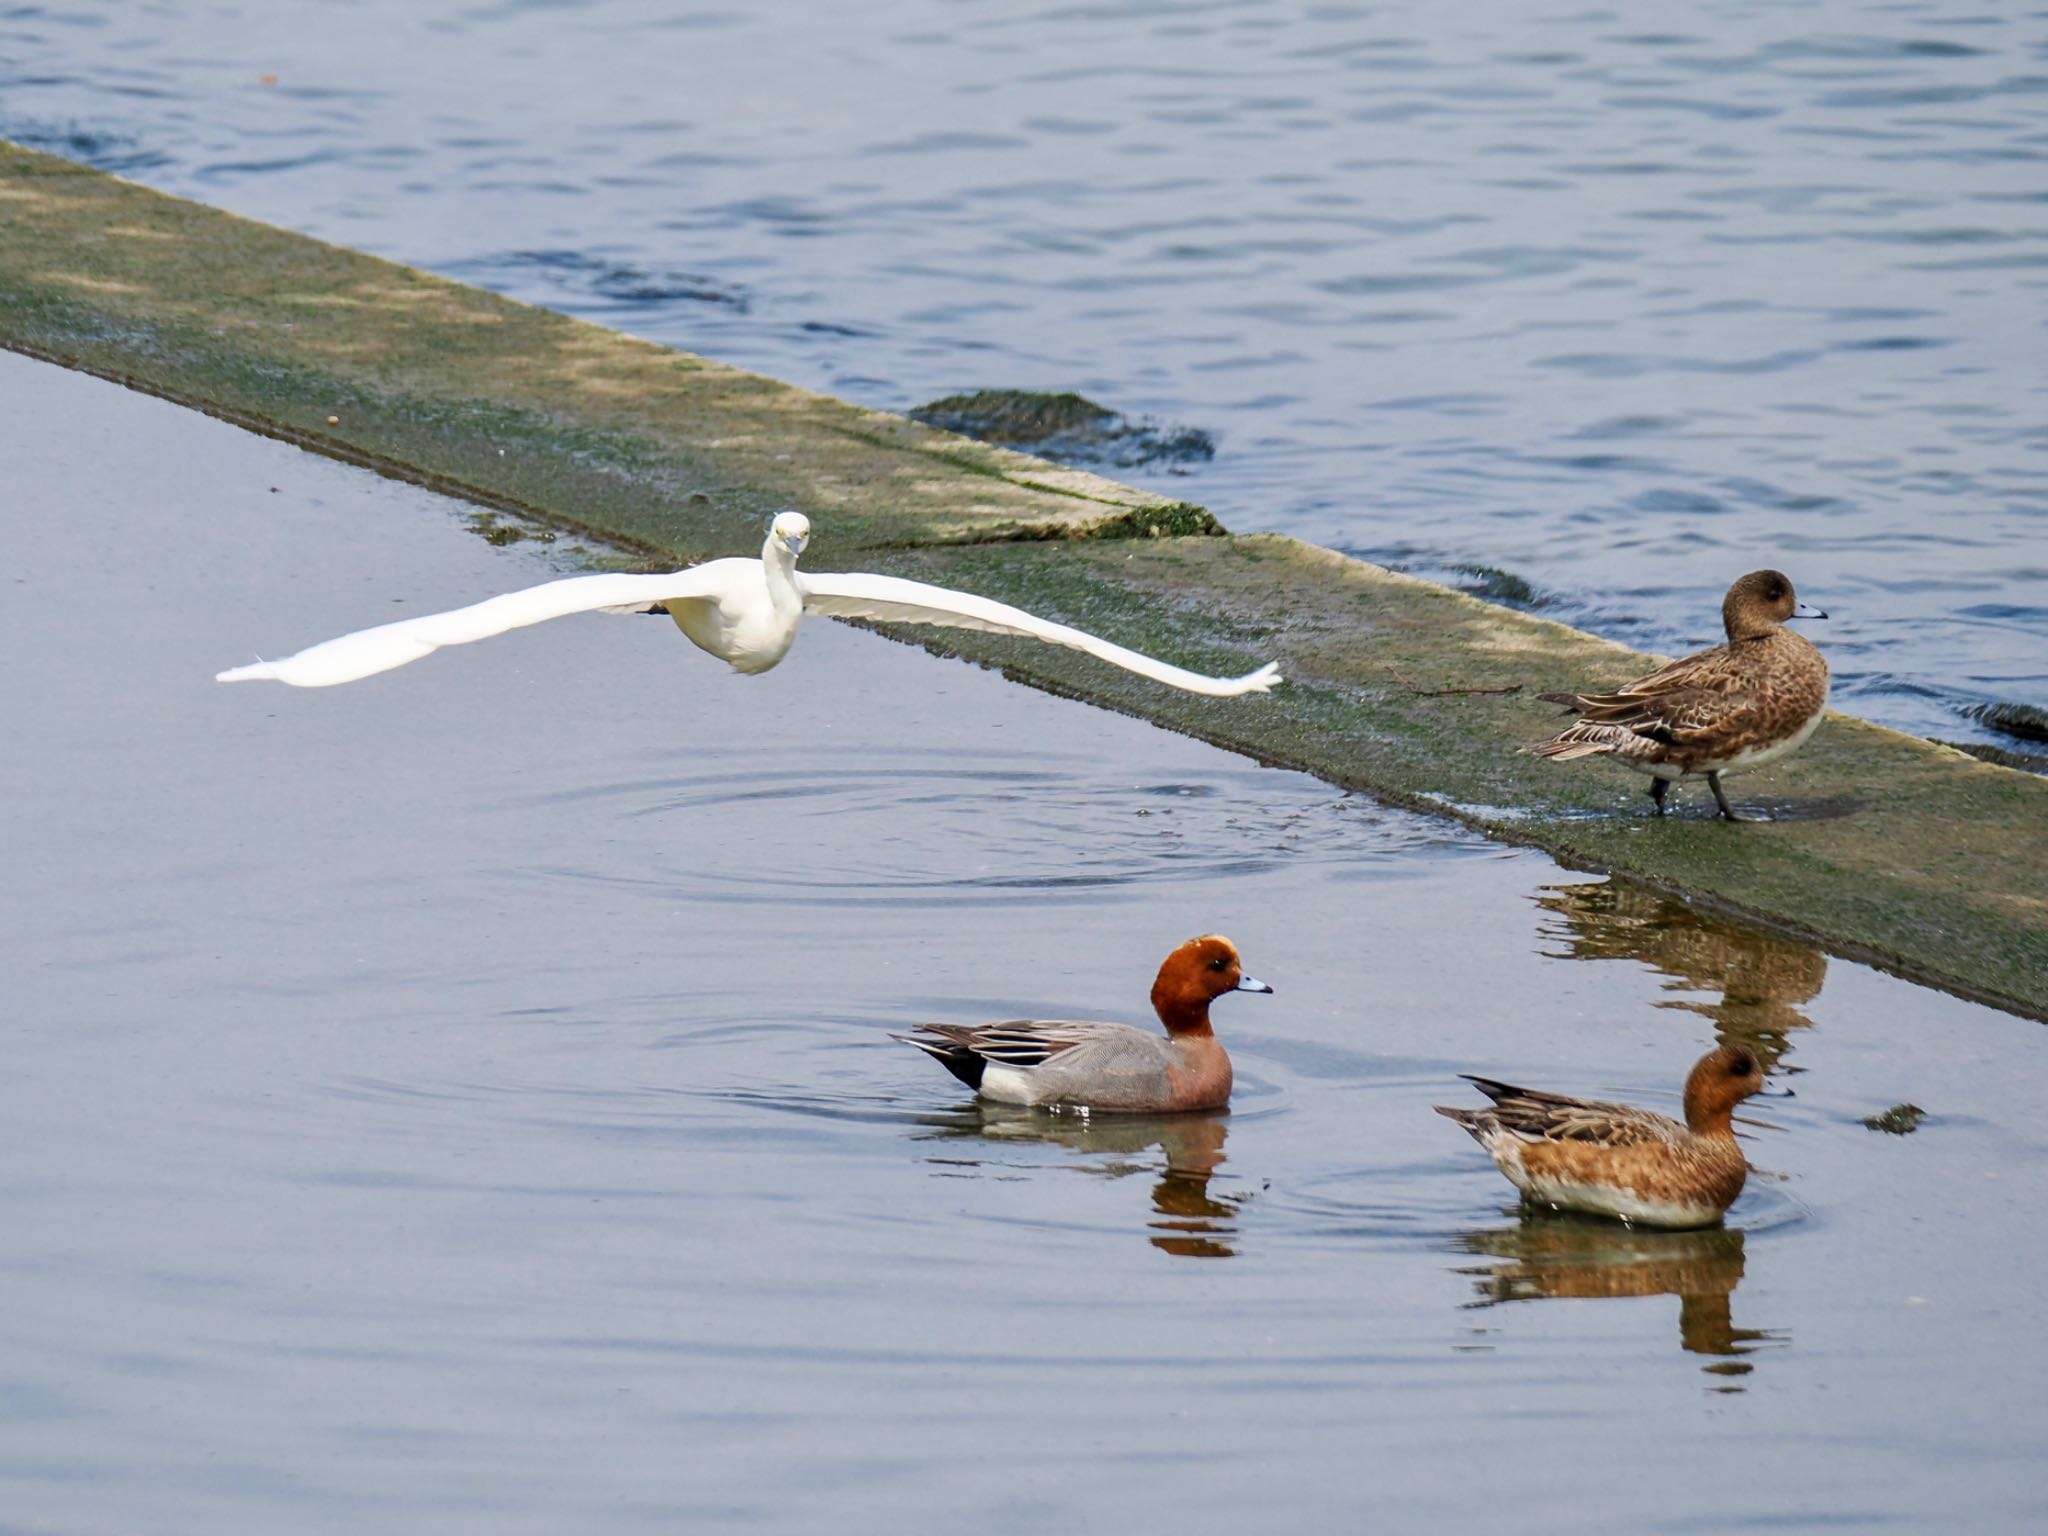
(1719, 712)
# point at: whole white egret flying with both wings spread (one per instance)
(742, 611)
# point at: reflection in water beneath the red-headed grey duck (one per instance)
(1187, 1218)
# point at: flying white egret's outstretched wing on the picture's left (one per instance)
(392, 646)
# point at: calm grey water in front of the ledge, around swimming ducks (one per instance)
(464, 1101)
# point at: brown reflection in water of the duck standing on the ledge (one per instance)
(1764, 980)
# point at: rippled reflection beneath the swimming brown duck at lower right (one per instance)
(1584, 1258)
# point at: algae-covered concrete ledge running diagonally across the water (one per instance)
(1887, 849)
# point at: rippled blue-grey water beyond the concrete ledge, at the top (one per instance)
(1625, 300)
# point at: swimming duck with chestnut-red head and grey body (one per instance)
(1107, 1066)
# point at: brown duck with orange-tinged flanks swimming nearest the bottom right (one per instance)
(1611, 1160)
